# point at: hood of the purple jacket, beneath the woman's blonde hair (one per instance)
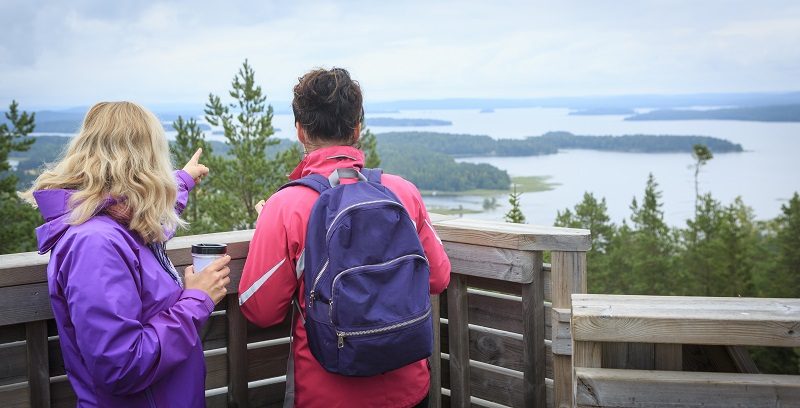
(54, 207)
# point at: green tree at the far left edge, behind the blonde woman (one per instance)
(19, 219)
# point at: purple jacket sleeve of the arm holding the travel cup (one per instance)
(124, 353)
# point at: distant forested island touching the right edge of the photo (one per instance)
(779, 113)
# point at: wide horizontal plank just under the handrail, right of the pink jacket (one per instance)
(489, 262)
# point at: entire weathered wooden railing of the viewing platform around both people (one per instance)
(507, 328)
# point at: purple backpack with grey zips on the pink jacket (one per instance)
(367, 287)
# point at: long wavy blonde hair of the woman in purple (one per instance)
(121, 152)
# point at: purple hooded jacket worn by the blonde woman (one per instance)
(129, 334)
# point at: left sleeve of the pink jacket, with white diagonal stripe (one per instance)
(269, 278)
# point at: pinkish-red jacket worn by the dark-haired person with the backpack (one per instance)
(269, 281)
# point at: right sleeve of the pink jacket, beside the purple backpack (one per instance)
(434, 249)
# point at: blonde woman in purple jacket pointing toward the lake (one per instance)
(127, 322)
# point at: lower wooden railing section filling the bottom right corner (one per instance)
(669, 322)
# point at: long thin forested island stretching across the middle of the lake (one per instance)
(461, 145)
